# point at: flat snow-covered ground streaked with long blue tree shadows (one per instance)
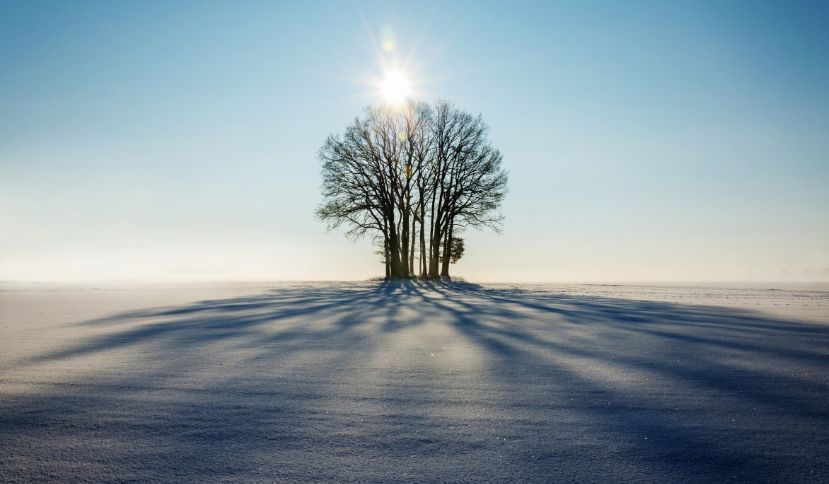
(407, 381)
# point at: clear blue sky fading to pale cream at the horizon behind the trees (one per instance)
(645, 141)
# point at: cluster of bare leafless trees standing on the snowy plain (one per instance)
(413, 178)
